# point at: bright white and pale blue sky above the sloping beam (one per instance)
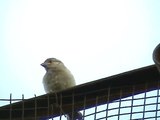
(94, 39)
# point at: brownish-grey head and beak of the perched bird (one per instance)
(52, 63)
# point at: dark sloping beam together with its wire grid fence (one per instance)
(133, 95)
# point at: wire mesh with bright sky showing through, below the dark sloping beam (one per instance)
(138, 107)
